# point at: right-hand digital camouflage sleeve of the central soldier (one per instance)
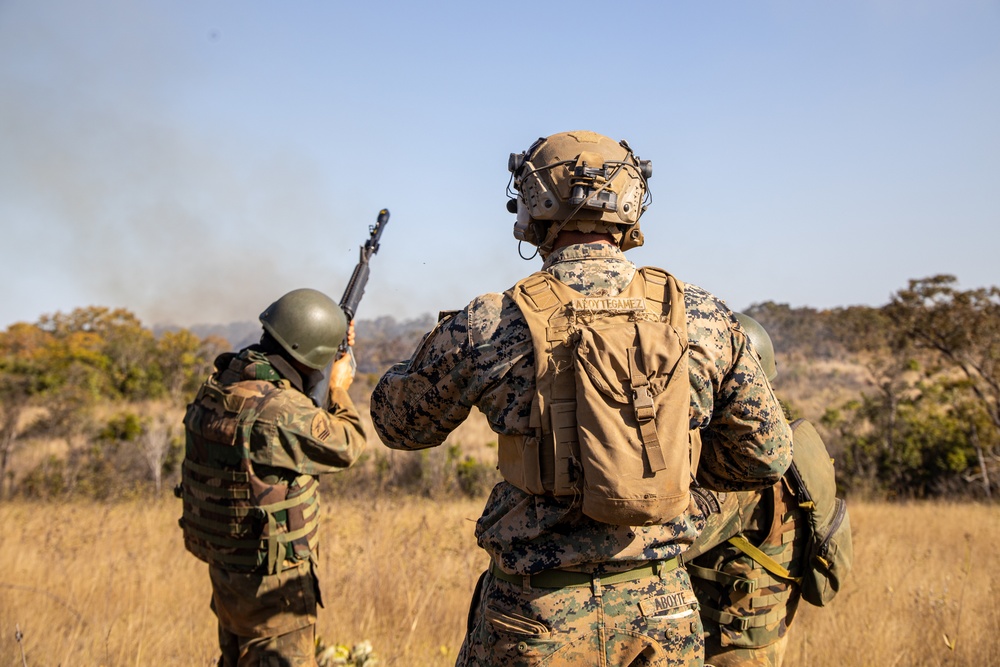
(747, 444)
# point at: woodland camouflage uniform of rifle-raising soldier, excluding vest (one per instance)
(269, 617)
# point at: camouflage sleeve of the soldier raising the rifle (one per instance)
(310, 440)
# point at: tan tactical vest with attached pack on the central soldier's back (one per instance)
(612, 405)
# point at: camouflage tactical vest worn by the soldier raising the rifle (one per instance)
(232, 518)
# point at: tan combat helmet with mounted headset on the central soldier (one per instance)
(578, 180)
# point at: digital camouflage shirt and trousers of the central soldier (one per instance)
(482, 356)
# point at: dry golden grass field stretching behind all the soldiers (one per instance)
(111, 585)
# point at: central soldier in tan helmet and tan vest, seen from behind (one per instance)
(564, 588)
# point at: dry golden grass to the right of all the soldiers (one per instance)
(924, 591)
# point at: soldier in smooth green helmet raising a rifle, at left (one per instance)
(255, 443)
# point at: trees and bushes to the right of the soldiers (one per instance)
(927, 424)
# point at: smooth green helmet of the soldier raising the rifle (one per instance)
(308, 325)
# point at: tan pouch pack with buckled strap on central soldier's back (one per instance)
(633, 403)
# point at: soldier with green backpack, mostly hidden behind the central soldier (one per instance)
(751, 564)
